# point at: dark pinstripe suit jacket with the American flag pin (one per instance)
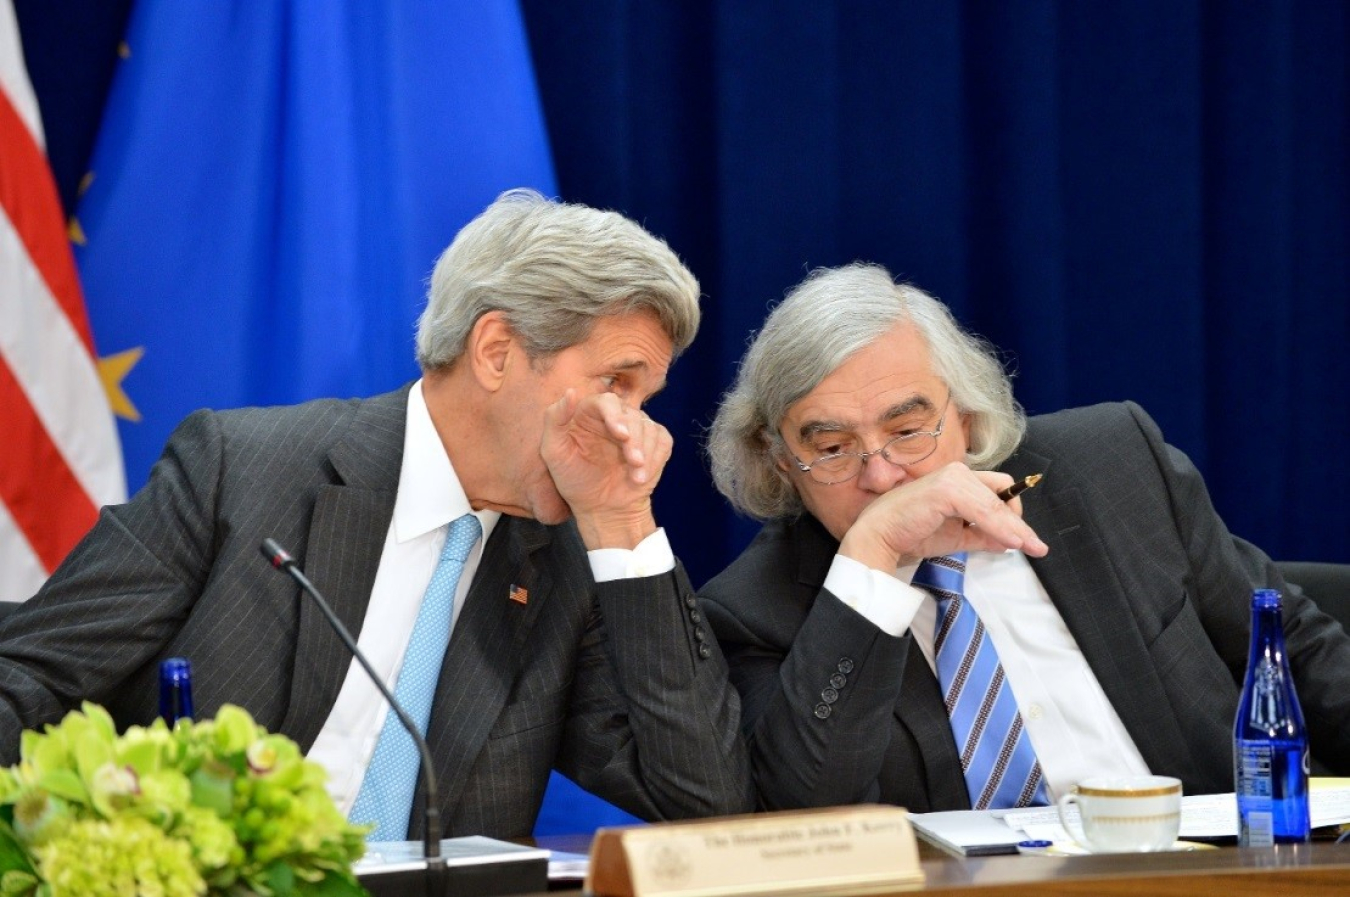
(611, 684)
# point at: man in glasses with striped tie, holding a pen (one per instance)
(901, 632)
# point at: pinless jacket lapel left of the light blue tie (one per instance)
(342, 555)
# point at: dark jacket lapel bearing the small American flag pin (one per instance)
(485, 653)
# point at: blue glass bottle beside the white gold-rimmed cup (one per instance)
(1270, 740)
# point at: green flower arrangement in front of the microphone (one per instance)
(215, 807)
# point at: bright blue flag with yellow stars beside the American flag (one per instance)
(273, 183)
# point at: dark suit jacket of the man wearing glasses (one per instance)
(1152, 586)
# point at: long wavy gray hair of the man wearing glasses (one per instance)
(823, 322)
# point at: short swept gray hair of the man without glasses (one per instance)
(553, 270)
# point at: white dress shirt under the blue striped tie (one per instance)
(1071, 723)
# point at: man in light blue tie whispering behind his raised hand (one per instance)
(487, 530)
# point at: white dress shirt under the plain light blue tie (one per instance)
(430, 498)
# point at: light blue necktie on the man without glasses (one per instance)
(387, 794)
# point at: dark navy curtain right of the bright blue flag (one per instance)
(1144, 201)
